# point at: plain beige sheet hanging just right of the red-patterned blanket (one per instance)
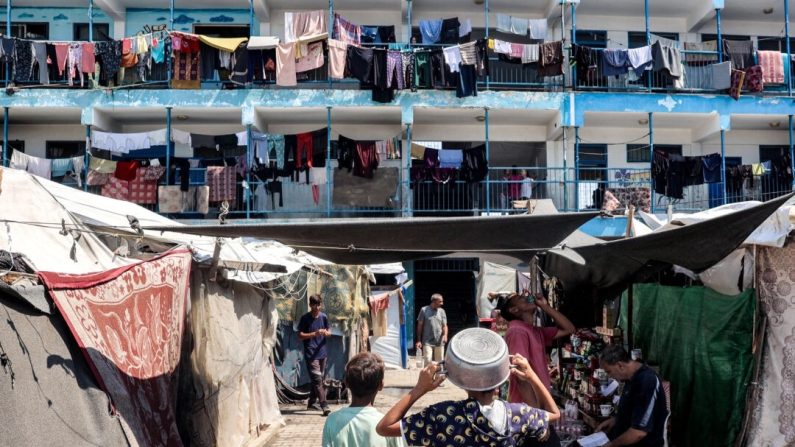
(234, 330)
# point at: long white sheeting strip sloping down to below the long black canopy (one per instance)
(241, 256)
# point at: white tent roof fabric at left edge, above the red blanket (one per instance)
(31, 225)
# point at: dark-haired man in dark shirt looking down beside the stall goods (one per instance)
(642, 410)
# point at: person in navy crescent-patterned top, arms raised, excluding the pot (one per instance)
(480, 420)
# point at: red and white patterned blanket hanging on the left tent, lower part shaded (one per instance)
(128, 323)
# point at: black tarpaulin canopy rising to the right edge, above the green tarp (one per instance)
(697, 247)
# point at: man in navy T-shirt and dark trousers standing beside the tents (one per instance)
(313, 328)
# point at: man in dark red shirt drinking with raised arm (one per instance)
(530, 341)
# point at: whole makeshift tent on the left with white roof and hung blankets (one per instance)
(67, 384)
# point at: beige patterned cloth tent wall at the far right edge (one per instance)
(773, 408)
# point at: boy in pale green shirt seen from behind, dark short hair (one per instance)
(354, 426)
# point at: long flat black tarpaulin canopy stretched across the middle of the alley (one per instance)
(384, 240)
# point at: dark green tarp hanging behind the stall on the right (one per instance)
(702, 341)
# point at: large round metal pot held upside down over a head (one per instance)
(477, 360)
